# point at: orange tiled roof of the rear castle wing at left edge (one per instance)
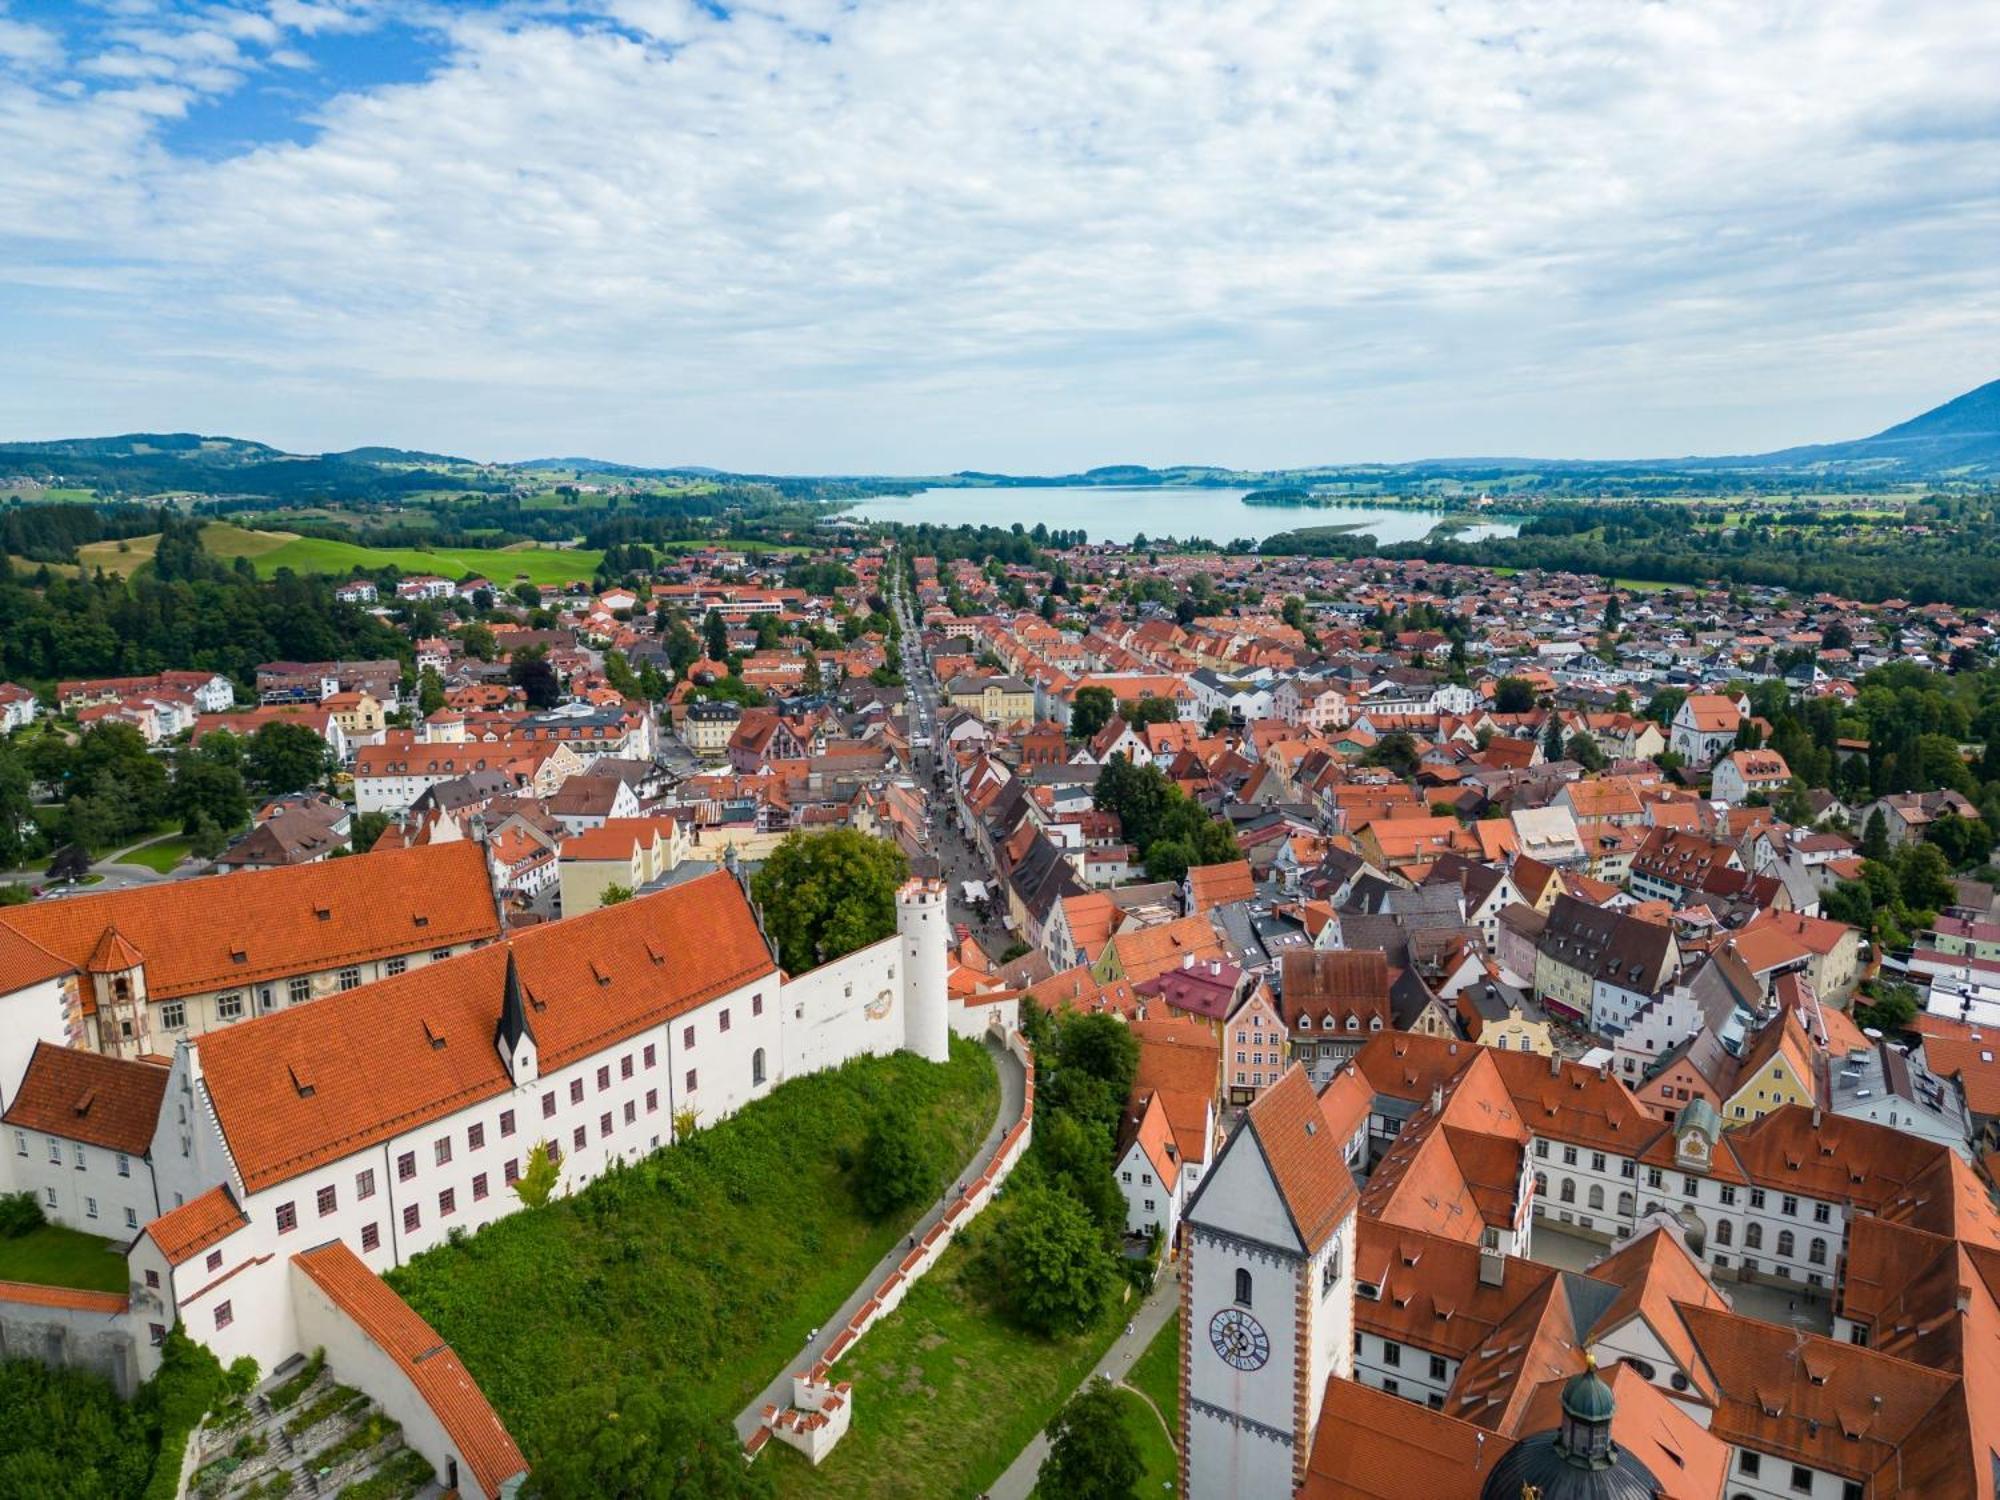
(203, 935)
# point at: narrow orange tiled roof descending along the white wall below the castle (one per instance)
(427, 1361)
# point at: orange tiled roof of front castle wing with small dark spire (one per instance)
(305, 1087)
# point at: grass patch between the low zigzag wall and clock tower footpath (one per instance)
(947, 1393)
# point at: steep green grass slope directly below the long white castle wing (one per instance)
(703, 1267)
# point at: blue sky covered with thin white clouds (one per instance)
(905, 237)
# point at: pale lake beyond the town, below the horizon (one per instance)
(1117, 515)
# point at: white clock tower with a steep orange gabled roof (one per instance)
(1267, 1299)
